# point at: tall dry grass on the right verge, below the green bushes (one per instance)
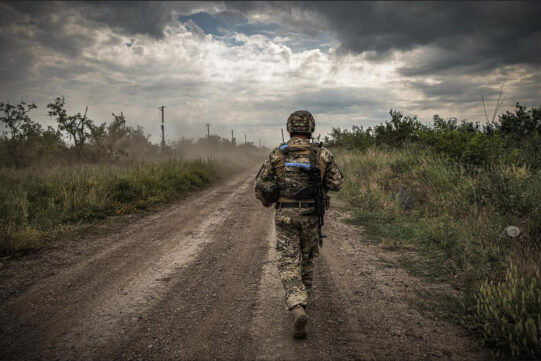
(455, 218)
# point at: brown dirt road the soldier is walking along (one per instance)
(198, 280)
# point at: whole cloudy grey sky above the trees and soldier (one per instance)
(246, 66)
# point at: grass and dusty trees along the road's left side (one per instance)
(55, 180)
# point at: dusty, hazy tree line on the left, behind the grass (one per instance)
(77, 138)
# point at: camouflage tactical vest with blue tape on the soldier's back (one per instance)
(288, 169)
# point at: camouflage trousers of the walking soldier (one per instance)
(296, 247)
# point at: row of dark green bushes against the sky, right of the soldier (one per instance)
(514, 137)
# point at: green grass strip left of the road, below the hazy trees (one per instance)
(38, 203)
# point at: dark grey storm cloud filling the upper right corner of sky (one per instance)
(478, 35)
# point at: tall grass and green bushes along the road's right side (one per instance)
(445, 194)
